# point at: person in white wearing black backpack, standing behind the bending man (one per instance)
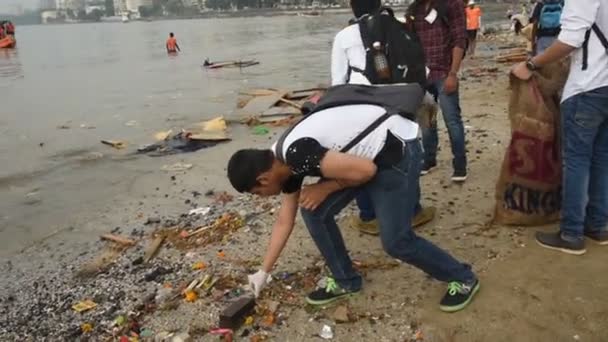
(348, 65)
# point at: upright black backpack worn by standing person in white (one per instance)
(402, 48)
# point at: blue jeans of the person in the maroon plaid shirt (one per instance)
(450, 109)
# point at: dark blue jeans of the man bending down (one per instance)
(394, 193)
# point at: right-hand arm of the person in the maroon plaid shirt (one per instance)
(457, 27)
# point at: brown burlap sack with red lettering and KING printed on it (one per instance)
(528, 191)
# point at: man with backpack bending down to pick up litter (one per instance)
(376, 149)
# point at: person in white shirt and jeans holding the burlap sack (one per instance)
(584, 115)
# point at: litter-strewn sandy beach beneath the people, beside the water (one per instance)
(527, 293)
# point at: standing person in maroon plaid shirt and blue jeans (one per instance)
(440, 25)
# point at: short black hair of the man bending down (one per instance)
(245, 166)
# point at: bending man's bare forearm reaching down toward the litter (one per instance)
(281, 230)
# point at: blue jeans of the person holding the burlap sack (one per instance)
(585, 163)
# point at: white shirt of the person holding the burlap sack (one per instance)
(577, 18)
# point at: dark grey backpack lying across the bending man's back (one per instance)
(397, 99)
